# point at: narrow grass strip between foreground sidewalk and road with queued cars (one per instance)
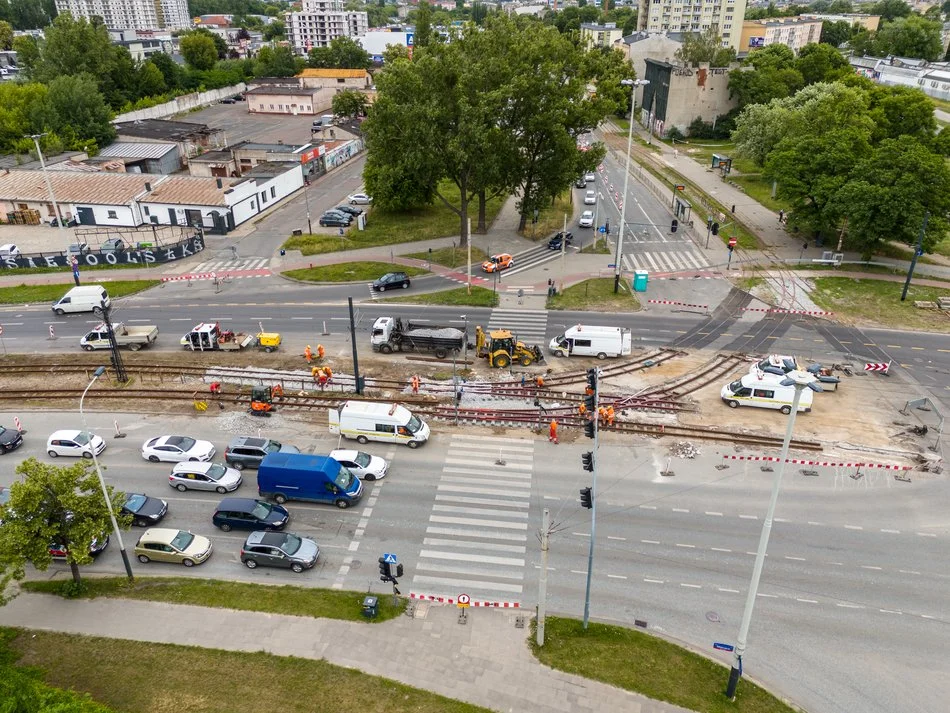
(289, 599)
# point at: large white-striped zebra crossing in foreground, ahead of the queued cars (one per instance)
(476, 539)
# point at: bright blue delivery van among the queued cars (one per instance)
(299, 476)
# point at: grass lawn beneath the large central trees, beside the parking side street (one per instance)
(393, 227)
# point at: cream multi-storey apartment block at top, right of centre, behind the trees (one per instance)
(694, 16)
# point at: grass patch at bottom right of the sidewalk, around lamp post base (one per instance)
(656, 668)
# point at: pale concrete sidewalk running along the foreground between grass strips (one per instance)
(486, 662)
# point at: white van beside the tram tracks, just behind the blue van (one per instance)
(374, 421)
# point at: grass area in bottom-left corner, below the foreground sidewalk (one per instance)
(133, 676)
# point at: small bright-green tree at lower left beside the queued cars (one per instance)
(51, 504)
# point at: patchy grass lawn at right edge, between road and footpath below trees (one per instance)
(878, 302)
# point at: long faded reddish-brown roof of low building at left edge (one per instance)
(75, 187)
